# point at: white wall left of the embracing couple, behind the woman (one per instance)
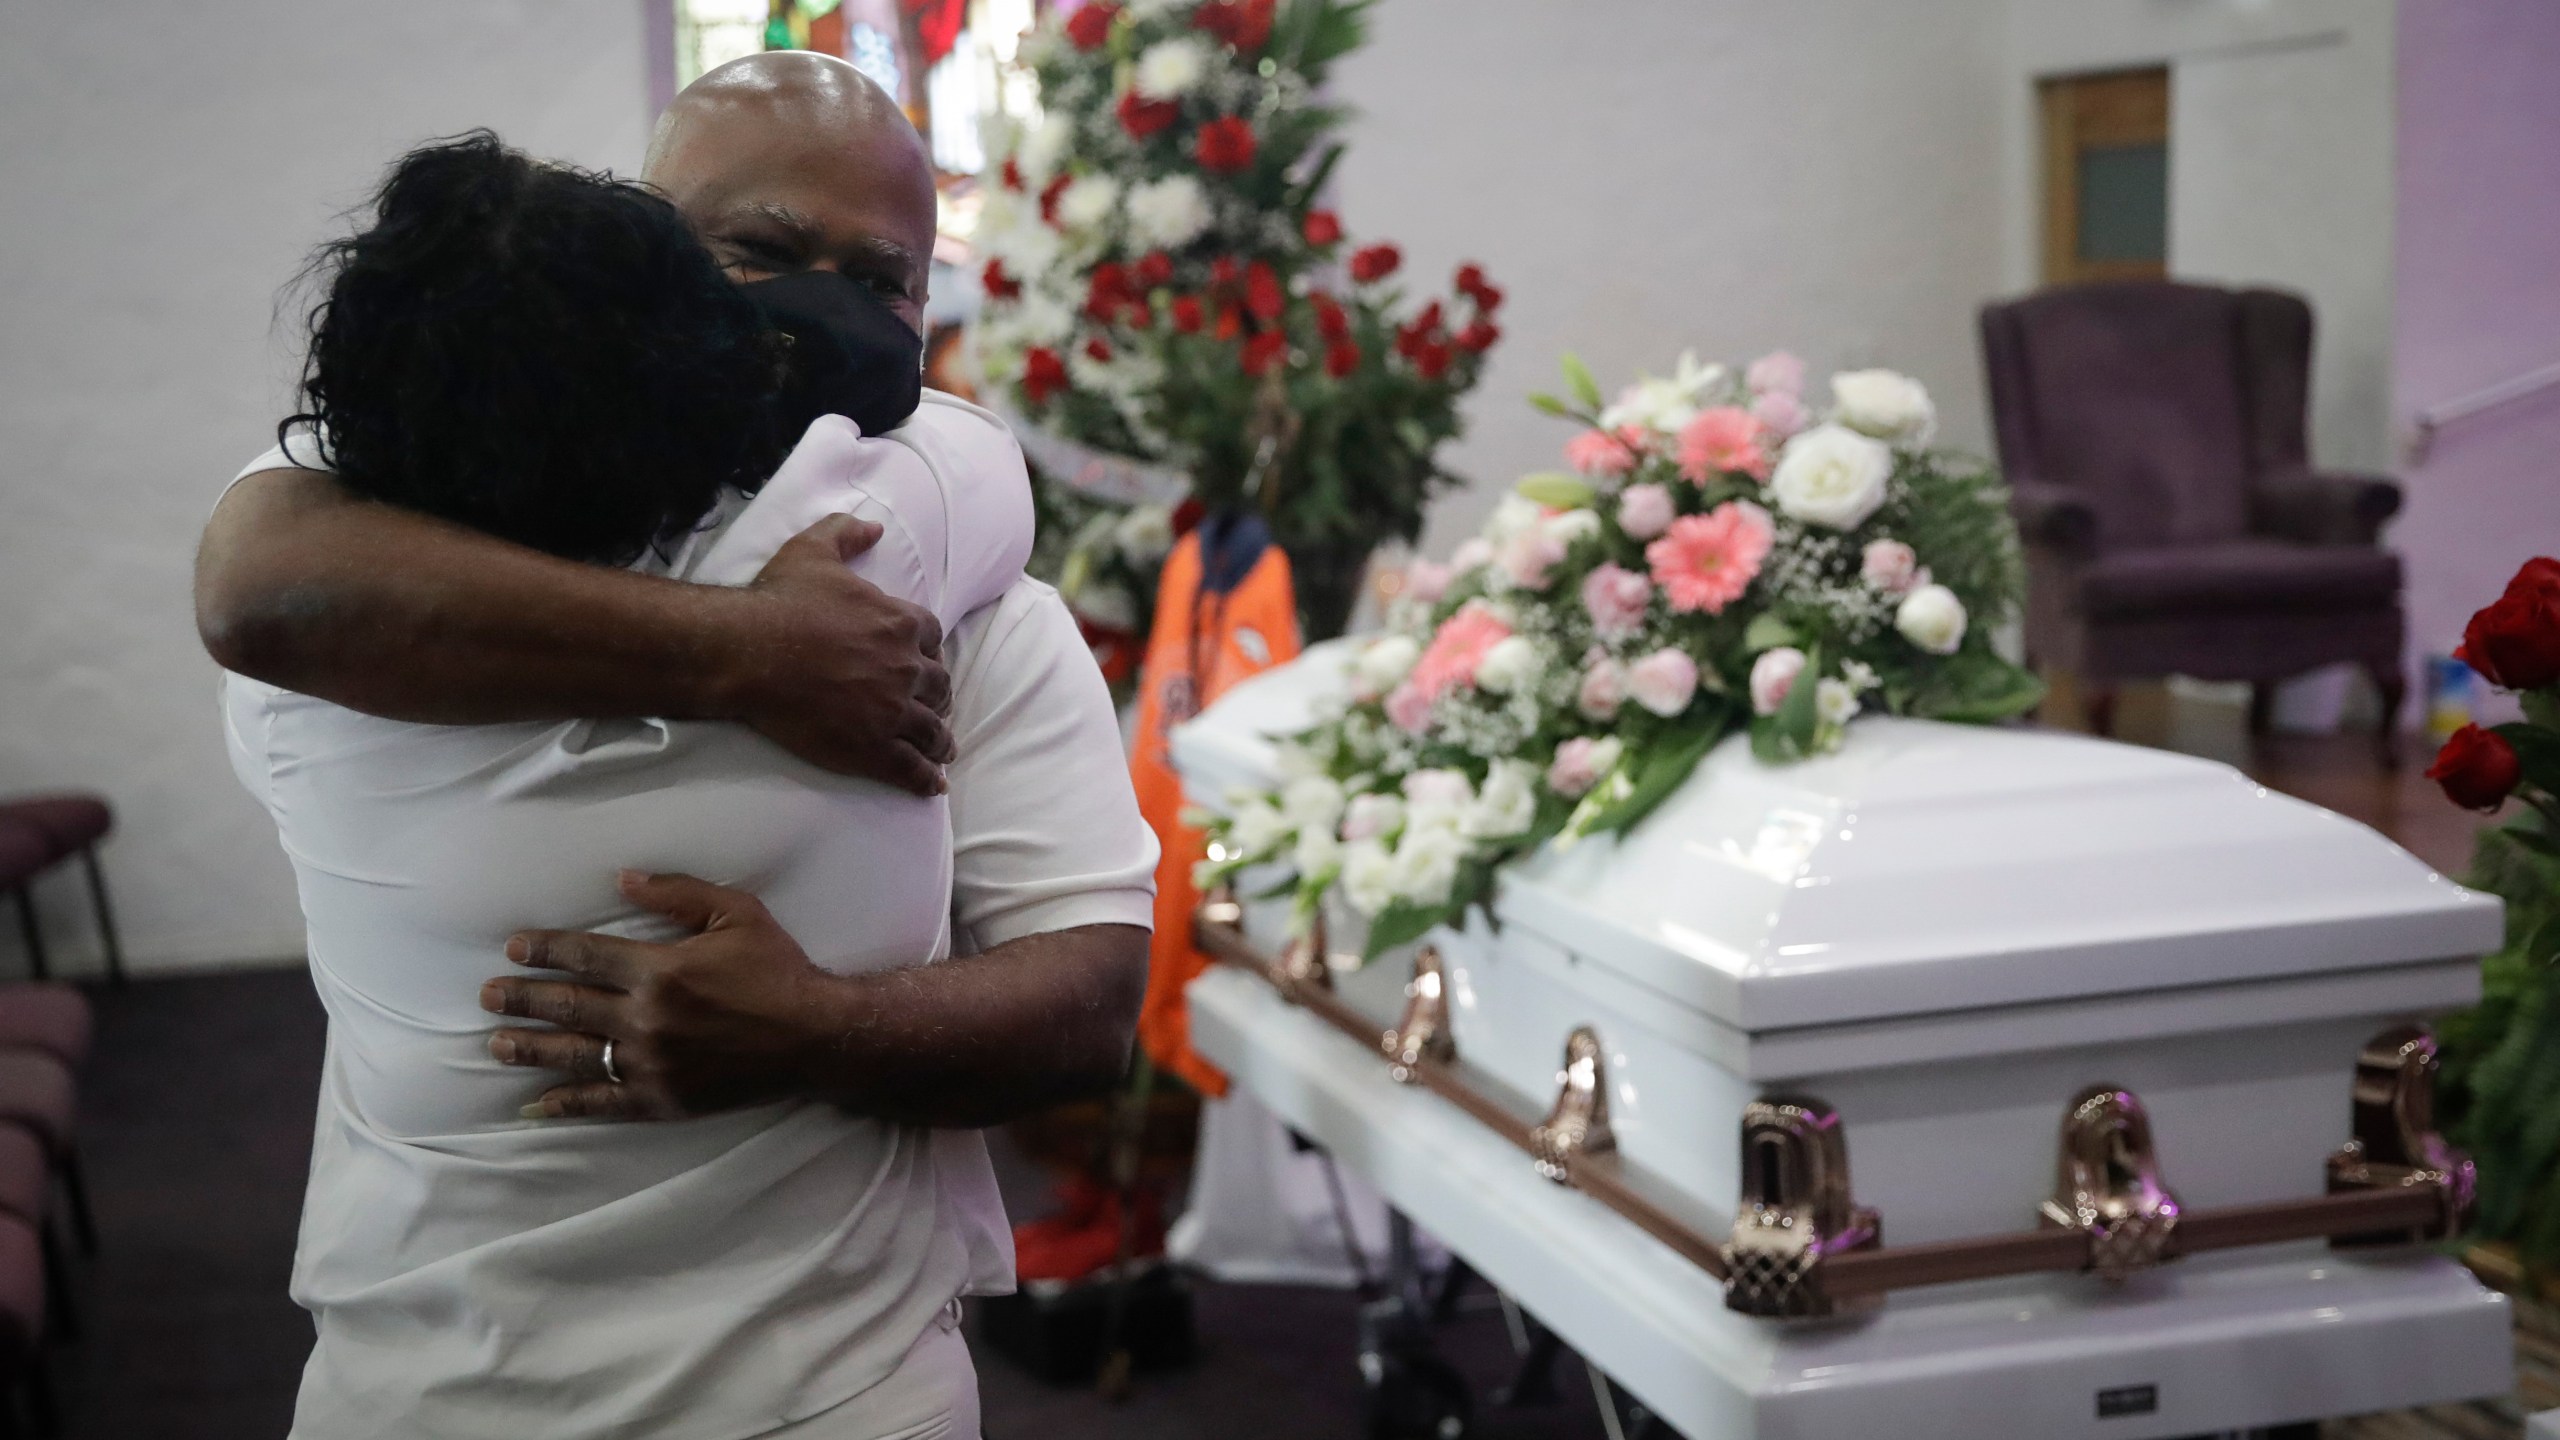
(168, 165)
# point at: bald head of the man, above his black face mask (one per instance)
(797, 160)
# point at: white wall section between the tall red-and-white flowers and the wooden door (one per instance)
(1650, 176)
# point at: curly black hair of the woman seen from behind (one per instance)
(536, 352)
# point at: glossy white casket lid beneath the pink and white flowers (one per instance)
(1939, 867)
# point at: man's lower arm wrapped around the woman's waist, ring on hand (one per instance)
(739, 1016)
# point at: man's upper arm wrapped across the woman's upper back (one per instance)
(413, 619)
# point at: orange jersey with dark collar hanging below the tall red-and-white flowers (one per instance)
(1225, 614)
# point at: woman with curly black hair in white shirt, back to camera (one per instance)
(549, 355)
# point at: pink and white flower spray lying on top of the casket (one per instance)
(1719, 557)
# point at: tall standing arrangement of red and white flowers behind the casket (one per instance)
(1164, 286)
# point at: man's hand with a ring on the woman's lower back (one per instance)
(705, 1024)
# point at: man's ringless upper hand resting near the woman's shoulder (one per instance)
(841, 673)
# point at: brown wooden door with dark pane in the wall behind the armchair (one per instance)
(2106, 168)
